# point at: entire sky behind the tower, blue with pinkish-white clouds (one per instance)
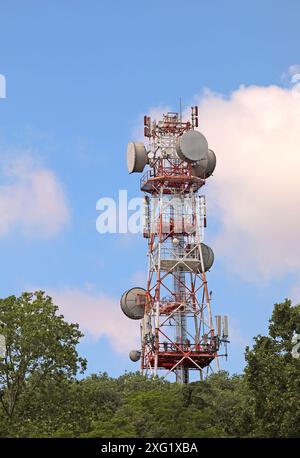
(79, 77)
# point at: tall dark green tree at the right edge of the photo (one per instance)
(273, 376)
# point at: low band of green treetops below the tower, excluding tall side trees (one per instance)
(130, 406)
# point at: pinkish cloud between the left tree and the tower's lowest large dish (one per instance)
(98, 315)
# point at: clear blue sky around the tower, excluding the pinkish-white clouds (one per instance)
(79, 76)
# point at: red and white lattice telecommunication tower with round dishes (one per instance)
(178, 333)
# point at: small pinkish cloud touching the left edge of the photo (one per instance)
(32, 199)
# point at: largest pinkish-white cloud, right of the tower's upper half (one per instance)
(255, 191)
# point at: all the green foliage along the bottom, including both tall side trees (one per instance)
(48, 401)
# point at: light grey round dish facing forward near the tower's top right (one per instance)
(192, 146)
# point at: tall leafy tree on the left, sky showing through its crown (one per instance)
(39, 342)
